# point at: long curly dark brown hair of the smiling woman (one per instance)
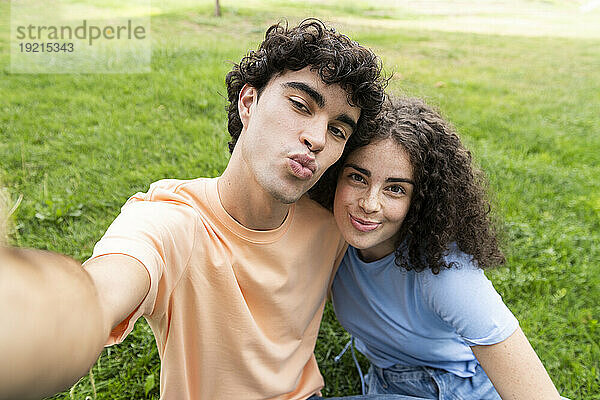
(449, 203)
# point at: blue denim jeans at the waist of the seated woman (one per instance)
(431, 383)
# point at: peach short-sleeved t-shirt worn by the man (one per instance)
(235, 312)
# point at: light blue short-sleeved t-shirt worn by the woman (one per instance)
(418, 318)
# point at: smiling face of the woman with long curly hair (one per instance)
(372, 197)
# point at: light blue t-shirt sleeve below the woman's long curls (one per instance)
(464, 298)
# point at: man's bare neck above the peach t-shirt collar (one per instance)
(246, 202)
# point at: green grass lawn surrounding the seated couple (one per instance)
(77, 146)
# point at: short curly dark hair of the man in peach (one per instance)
(335, 57)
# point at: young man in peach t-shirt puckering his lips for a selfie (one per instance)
(231, 273)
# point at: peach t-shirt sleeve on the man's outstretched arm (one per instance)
(160, 236)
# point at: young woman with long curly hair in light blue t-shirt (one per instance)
(411, 288)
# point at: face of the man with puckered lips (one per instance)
(294, 132)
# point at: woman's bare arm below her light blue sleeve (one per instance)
(515, 369)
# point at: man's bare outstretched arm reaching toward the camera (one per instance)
(56, 316)
